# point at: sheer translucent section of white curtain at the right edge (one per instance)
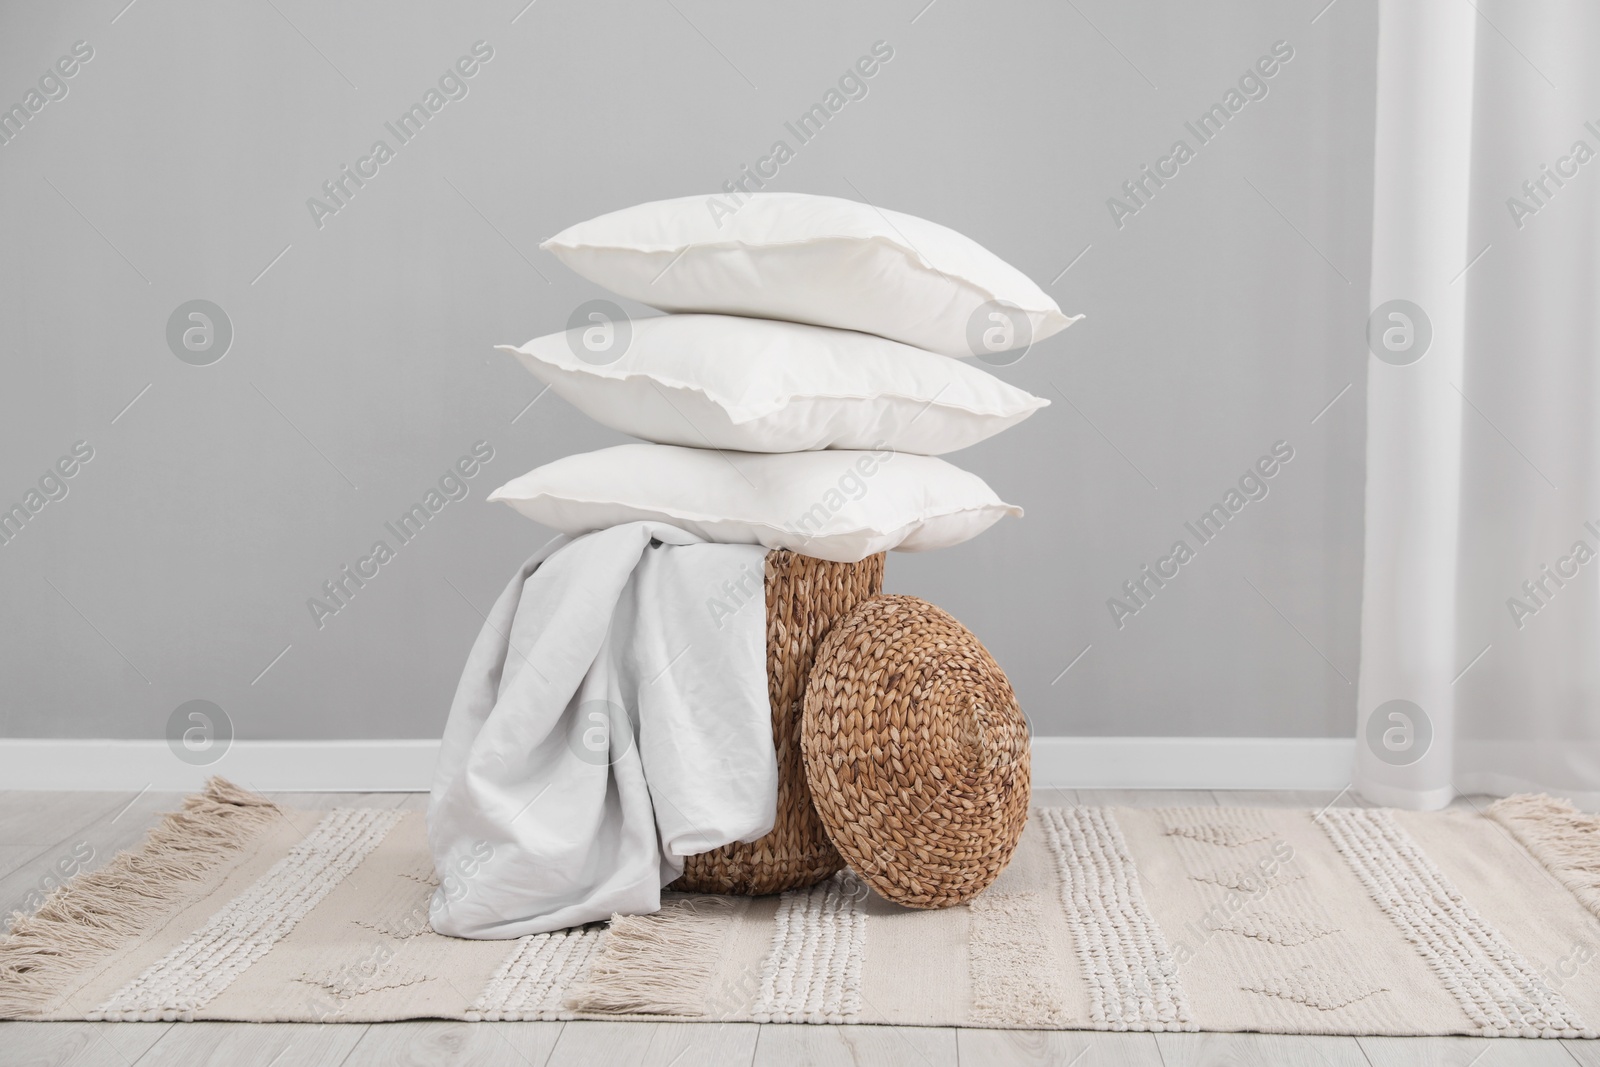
(1529, 713)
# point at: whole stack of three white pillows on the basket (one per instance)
(799, 396)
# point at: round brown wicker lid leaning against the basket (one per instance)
(916, 753)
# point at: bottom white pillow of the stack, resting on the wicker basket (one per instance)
(836, 505)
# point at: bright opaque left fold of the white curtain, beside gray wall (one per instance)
(1415, 337)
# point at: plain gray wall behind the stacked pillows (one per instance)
(1223, 318)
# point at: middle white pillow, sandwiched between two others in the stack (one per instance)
(766, 386)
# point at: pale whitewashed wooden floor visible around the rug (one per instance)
(38, 829)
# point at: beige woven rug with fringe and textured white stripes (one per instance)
(1172, 919)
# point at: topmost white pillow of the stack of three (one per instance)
(817, 260)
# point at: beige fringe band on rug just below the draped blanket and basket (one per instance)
(658, 964)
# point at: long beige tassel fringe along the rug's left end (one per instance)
(100, 911)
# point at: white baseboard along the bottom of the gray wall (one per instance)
(366, 767)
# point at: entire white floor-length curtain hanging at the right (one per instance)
(1481, 615)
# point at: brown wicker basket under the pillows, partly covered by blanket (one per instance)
(804, 601)
